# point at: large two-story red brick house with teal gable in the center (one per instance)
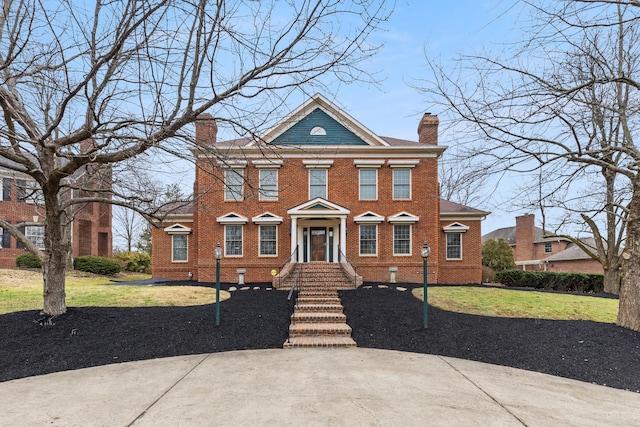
(320, 186)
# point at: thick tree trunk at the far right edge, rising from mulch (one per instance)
(629, 311)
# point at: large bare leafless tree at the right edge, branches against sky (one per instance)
(567, 98)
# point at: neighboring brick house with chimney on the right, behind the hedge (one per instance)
(534, 251)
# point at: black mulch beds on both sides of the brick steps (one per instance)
(257, 319)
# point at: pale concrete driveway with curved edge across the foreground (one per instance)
(311, 387)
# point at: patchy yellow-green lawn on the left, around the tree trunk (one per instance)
(22, 290)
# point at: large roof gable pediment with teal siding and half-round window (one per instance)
(320, 122)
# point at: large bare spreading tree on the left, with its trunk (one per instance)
(84, 88)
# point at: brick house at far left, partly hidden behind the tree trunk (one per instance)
(22, 202)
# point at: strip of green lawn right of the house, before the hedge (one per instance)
(521, 304)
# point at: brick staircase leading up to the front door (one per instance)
(317, 319)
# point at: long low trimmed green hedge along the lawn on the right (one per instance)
(574, 282)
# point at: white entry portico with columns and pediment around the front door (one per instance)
(318, 231)
